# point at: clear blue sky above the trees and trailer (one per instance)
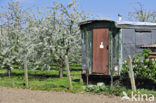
(108, 9)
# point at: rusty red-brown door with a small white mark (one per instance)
(100, 50)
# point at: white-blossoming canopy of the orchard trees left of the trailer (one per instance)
(41, 39)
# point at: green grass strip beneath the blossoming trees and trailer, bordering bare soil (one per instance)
(49, 80)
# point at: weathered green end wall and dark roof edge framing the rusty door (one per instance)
(114, 45)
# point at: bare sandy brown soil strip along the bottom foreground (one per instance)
(14, 95)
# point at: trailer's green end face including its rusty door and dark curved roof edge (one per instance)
(90, 58)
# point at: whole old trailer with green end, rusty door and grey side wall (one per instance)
(106, 44)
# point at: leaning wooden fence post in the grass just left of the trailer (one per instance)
(68, 73)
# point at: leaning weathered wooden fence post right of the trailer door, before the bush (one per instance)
(131, 73)
